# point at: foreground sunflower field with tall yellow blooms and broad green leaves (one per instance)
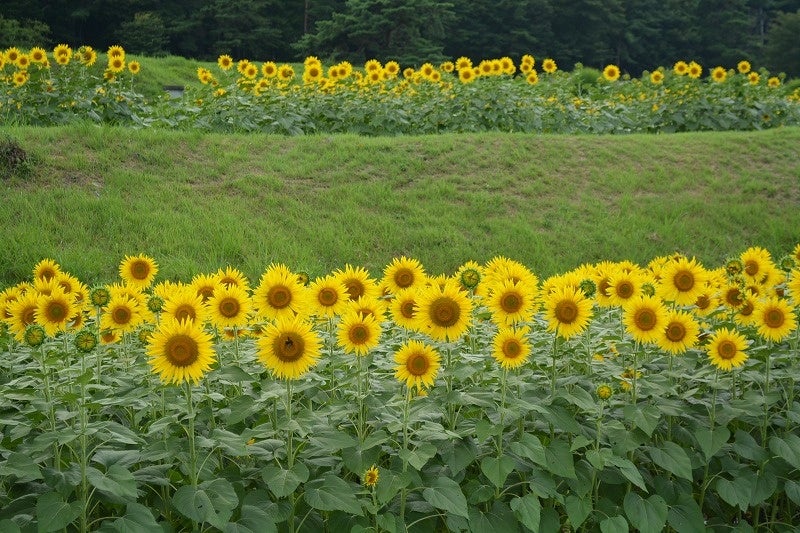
(612, 397)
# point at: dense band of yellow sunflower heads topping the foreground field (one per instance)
(668, 304)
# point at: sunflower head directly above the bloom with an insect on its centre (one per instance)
(280, 294)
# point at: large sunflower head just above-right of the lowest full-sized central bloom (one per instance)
(443, 312)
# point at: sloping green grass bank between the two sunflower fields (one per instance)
(197, 202)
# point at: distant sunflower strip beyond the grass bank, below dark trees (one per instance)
(41, 87)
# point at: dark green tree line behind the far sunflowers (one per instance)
(637, 35)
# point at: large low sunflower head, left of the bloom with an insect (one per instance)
(180, 351)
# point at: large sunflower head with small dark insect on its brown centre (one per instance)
(289, 348)
